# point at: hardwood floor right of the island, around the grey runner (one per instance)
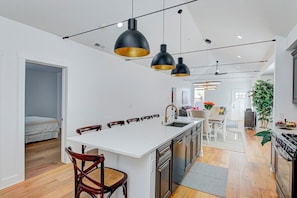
(249, 174)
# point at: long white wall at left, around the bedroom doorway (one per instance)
(99, 88)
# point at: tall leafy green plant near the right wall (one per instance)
(262, 100)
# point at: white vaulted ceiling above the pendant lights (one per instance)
(257, 21)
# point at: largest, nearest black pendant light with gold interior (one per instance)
(132, 43)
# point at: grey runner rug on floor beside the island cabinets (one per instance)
(207, 178)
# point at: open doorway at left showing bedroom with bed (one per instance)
(43, 117)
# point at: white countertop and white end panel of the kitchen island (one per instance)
(132, 149)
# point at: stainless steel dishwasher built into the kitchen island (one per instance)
(179, 161)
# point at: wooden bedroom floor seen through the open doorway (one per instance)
(42, 156)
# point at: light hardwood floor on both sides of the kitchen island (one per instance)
(249, 176)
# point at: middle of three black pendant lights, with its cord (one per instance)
(163, 60)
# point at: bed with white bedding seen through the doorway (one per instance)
(40, 128)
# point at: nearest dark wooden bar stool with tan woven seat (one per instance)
(95, 178)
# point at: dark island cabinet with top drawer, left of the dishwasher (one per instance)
(164, 171)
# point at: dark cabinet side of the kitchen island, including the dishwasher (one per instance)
(175, 159)
